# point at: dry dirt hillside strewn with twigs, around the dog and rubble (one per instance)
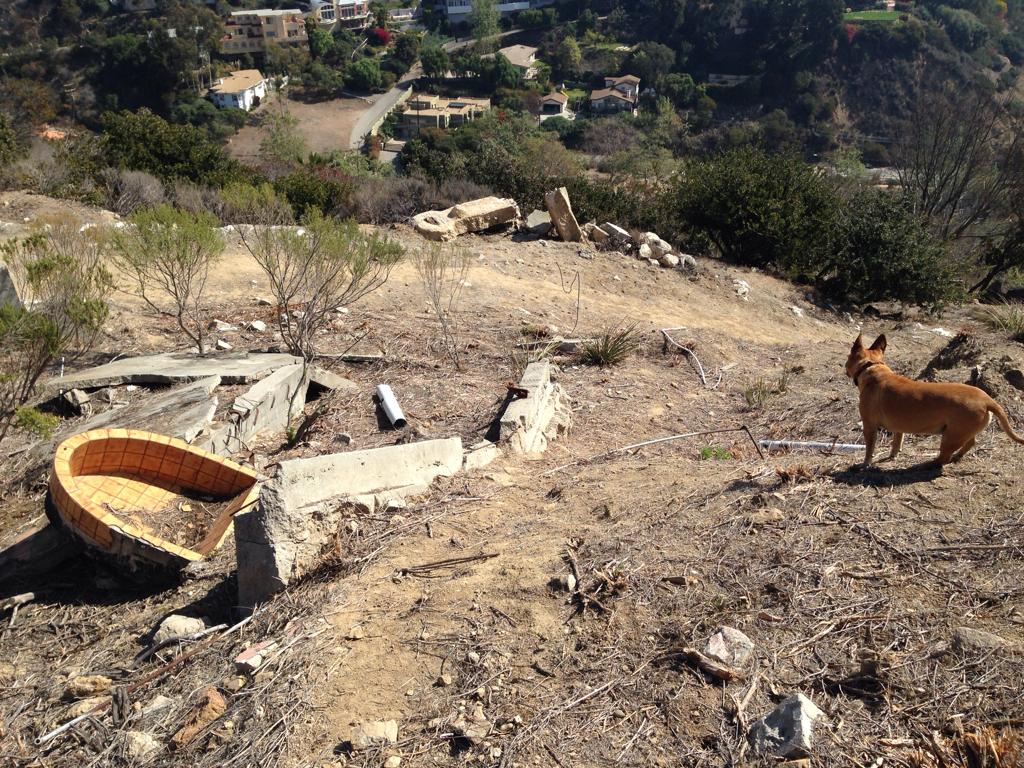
(851, 584)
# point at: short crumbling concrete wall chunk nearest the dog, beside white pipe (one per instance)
(530, 422)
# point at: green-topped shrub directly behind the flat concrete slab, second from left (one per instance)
(169, 252)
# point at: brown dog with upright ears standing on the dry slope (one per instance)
(958, 412)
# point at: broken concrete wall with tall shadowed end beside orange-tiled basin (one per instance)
(301, 509)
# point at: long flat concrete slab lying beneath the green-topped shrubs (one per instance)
(176, 368)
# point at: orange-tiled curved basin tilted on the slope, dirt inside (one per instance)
(111, 487)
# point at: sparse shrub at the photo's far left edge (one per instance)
(60, 276)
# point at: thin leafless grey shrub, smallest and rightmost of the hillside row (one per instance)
(444, 271)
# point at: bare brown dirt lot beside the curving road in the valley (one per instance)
(325, 125)
